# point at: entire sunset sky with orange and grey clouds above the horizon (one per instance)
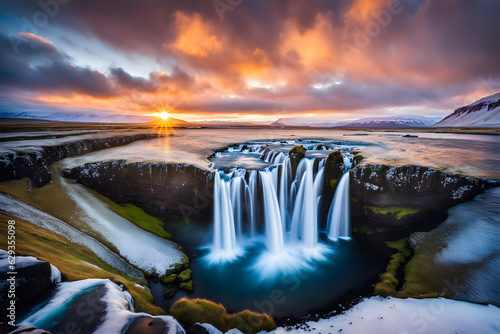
(248, 60)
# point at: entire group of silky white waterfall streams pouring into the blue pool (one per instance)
(272, 203)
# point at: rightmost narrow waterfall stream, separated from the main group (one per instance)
(339, 213)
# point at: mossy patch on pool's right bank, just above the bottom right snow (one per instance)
(388, 283)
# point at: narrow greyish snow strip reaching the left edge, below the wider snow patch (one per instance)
(37, 217)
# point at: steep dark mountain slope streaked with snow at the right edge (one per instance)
(482, 113)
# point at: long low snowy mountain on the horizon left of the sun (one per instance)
(77, 117)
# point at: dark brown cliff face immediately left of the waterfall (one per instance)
(161, 189)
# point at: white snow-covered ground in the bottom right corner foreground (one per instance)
(407, 316)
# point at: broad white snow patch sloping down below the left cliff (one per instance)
(141, 248)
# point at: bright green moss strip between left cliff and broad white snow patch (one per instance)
(135, 215)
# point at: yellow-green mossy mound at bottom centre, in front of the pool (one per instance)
(190, 311)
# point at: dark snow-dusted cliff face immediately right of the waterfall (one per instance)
(408, 196)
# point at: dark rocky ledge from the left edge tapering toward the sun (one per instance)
(34, 164)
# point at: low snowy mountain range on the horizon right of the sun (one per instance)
(371, 122)
